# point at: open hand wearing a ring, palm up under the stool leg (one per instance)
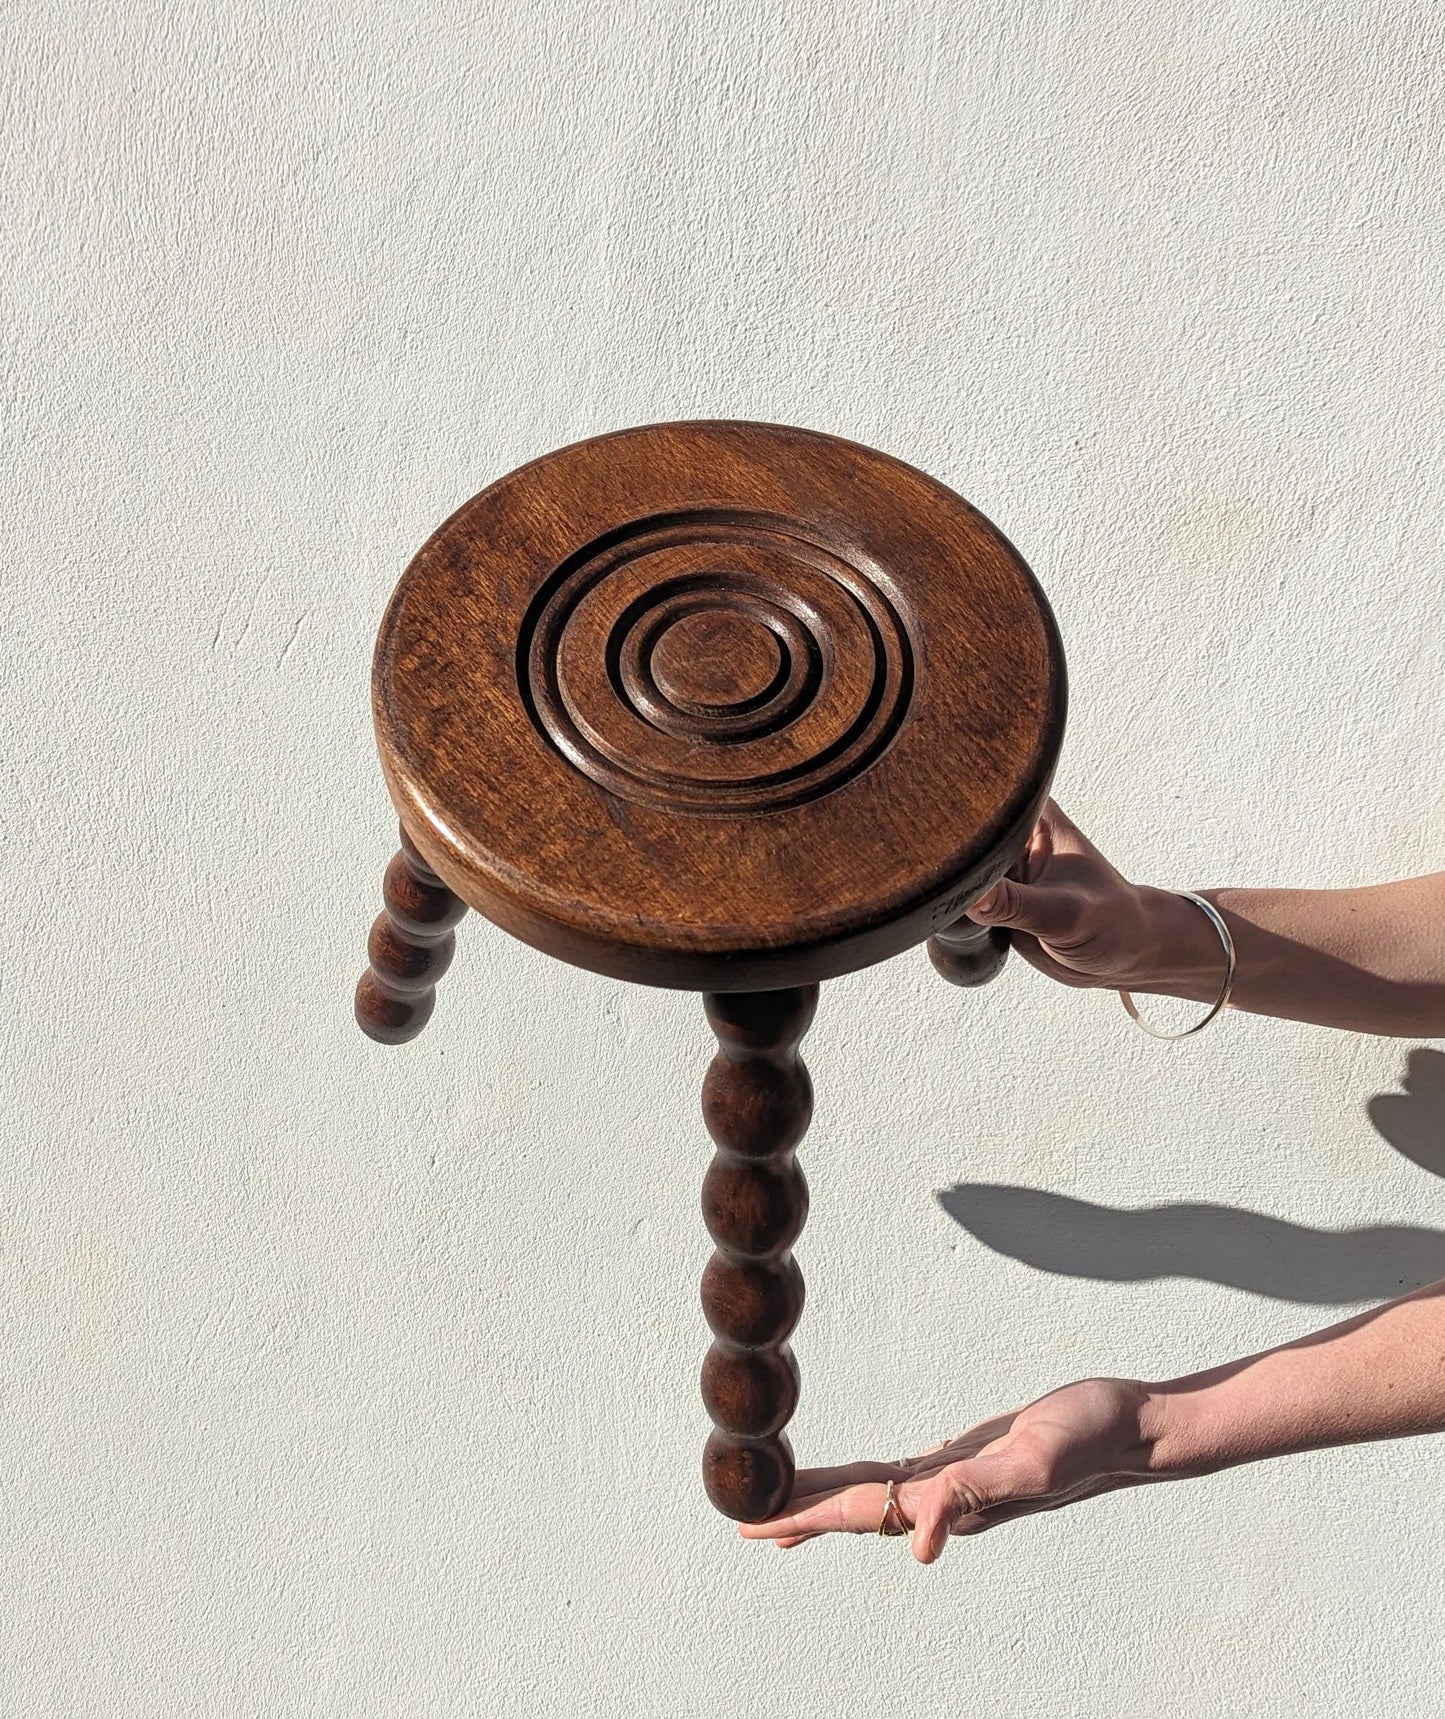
(1071, 1445)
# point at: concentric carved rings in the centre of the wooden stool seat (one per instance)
(716, 663)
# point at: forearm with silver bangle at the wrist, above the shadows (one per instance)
(1367, 960)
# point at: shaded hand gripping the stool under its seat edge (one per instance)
(1085, 924)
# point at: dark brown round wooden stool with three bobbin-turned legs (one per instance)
(726, 707)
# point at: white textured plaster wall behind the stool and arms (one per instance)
(344, 1381)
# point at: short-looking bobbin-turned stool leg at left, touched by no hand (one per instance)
(412, 946)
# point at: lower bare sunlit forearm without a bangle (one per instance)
(1379, 1376)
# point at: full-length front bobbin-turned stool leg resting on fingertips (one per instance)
(757, 1103)
